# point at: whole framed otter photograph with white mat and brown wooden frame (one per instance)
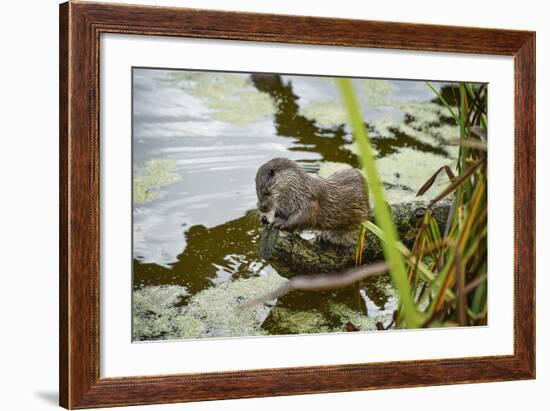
(260, 205)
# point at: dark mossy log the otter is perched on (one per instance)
(291, 255)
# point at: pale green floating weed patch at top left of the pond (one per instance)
(231, 96)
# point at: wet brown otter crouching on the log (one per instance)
(290, 199)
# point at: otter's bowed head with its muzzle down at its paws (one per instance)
(267, 182)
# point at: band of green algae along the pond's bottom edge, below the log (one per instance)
(221, 311)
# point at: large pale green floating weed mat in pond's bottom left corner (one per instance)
(218, 311)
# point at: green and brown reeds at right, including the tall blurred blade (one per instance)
(442, 279)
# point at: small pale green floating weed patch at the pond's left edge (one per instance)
(156, 174)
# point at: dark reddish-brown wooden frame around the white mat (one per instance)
(80, 27)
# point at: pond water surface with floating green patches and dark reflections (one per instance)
(198, 139)
